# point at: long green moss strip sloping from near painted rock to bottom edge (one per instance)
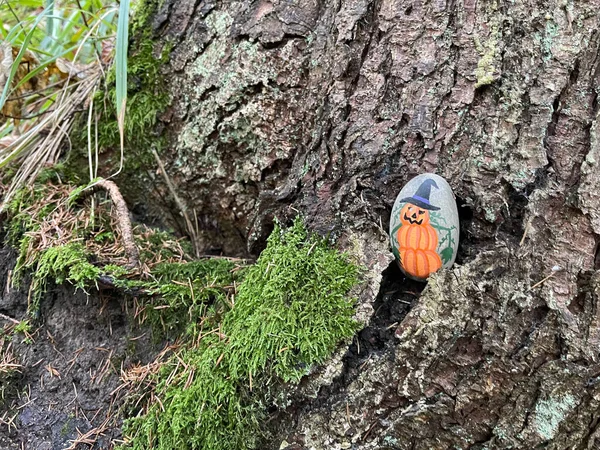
(291, 311)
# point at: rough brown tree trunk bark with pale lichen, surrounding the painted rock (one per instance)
(327, 109)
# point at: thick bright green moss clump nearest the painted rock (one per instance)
(292, 309)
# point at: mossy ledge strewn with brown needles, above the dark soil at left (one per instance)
(63, 241)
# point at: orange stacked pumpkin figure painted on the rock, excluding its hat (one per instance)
(418, 242)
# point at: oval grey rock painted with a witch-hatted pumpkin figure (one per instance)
(424, 226)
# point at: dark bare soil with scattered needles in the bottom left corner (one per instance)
(70, 369)
